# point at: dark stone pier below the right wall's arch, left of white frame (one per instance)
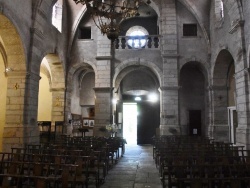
(220, 114)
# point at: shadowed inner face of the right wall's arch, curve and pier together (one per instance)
(219, 89)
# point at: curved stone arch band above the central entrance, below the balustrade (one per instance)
(135, 62)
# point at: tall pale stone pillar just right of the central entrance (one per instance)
(169, 89)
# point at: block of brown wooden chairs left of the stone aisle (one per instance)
(66, 163)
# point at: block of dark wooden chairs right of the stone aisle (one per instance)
(198, 162)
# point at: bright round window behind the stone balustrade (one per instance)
(137, 34)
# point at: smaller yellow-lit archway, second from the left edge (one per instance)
(51, 90)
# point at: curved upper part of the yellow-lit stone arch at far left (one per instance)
(11, 41)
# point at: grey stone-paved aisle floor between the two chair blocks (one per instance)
(136, 169)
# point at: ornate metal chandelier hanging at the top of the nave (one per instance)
(107, 14)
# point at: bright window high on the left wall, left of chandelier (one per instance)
(57, 15)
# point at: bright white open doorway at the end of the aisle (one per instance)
(130, 123)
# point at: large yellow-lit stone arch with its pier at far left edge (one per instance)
(13, 57)
